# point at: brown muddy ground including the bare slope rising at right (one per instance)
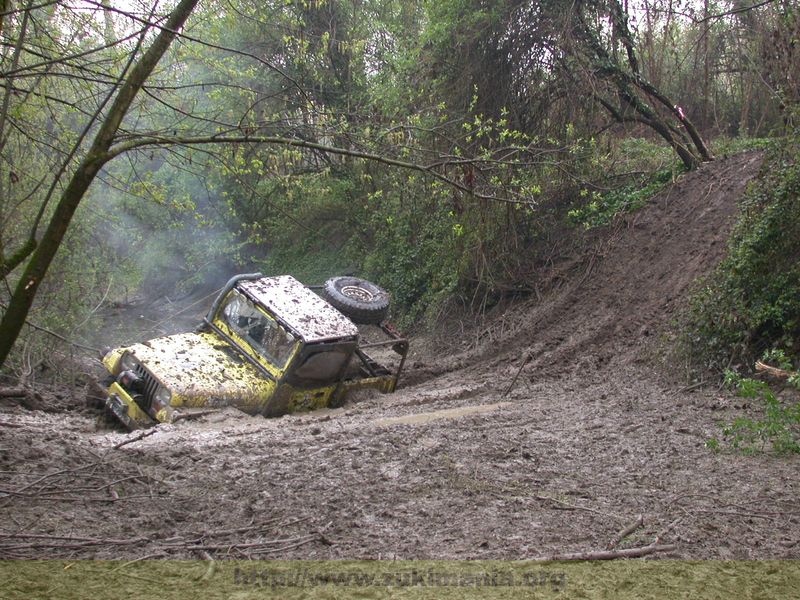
(557, 424)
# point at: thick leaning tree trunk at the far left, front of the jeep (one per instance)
(25, 292)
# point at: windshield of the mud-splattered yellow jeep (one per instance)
(259, 330)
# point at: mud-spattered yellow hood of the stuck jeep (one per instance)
(201, 369)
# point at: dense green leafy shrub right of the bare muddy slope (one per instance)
(752, 301)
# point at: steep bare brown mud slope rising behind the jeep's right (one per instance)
(630, 281)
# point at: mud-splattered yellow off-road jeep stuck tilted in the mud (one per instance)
(269, 346)
